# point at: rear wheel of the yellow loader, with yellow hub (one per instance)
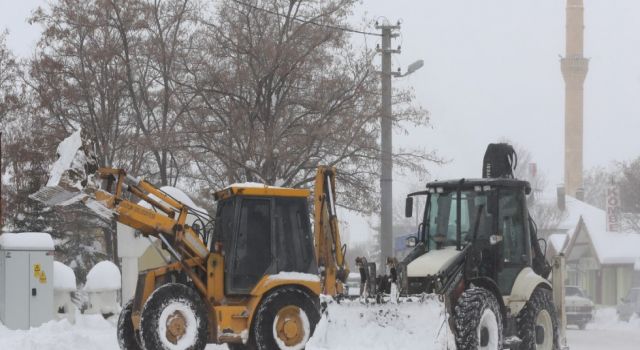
(285, 320)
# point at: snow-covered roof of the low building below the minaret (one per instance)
(610, 247)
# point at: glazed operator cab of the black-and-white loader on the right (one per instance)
(488, 214)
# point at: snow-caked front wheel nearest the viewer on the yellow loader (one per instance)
(174, 318)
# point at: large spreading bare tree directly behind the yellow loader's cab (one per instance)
(281, 91)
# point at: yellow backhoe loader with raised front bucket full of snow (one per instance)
(250, 277)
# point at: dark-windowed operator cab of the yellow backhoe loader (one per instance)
(262, 230)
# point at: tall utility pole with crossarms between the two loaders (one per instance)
(386, 125)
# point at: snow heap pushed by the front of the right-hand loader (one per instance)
(408, 325)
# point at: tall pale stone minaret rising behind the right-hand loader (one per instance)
(574, 70)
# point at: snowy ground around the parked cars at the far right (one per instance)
(606, 332)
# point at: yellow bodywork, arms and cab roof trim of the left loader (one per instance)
(230, 316)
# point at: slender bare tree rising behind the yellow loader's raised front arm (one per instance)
(155, 36)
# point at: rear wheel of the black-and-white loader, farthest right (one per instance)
(538, 322)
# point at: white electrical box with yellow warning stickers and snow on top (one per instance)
(26, 279)
